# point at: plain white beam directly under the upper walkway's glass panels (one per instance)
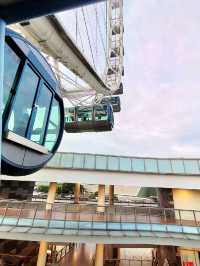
(63, 175)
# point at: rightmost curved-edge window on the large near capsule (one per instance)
(53, 126)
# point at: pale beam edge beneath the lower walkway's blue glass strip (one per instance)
(104, 239)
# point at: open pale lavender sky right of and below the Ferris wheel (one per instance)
(161, 101)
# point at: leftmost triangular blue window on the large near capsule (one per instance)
(11, 65)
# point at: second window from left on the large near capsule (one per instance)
(22, 107)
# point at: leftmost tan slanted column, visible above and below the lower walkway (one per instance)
(42, 255)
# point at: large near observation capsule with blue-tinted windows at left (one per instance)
(33, 111)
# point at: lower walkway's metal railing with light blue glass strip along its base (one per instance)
(93, 217)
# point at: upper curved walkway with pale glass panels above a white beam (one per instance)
(119, 170)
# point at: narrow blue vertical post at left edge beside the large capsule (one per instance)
(2, 47)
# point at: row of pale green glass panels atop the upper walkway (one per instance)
(98, 162)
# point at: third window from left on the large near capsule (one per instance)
(40, 114)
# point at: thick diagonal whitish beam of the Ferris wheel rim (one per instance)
(48, 34)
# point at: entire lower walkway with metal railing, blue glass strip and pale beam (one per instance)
(86, 223)
